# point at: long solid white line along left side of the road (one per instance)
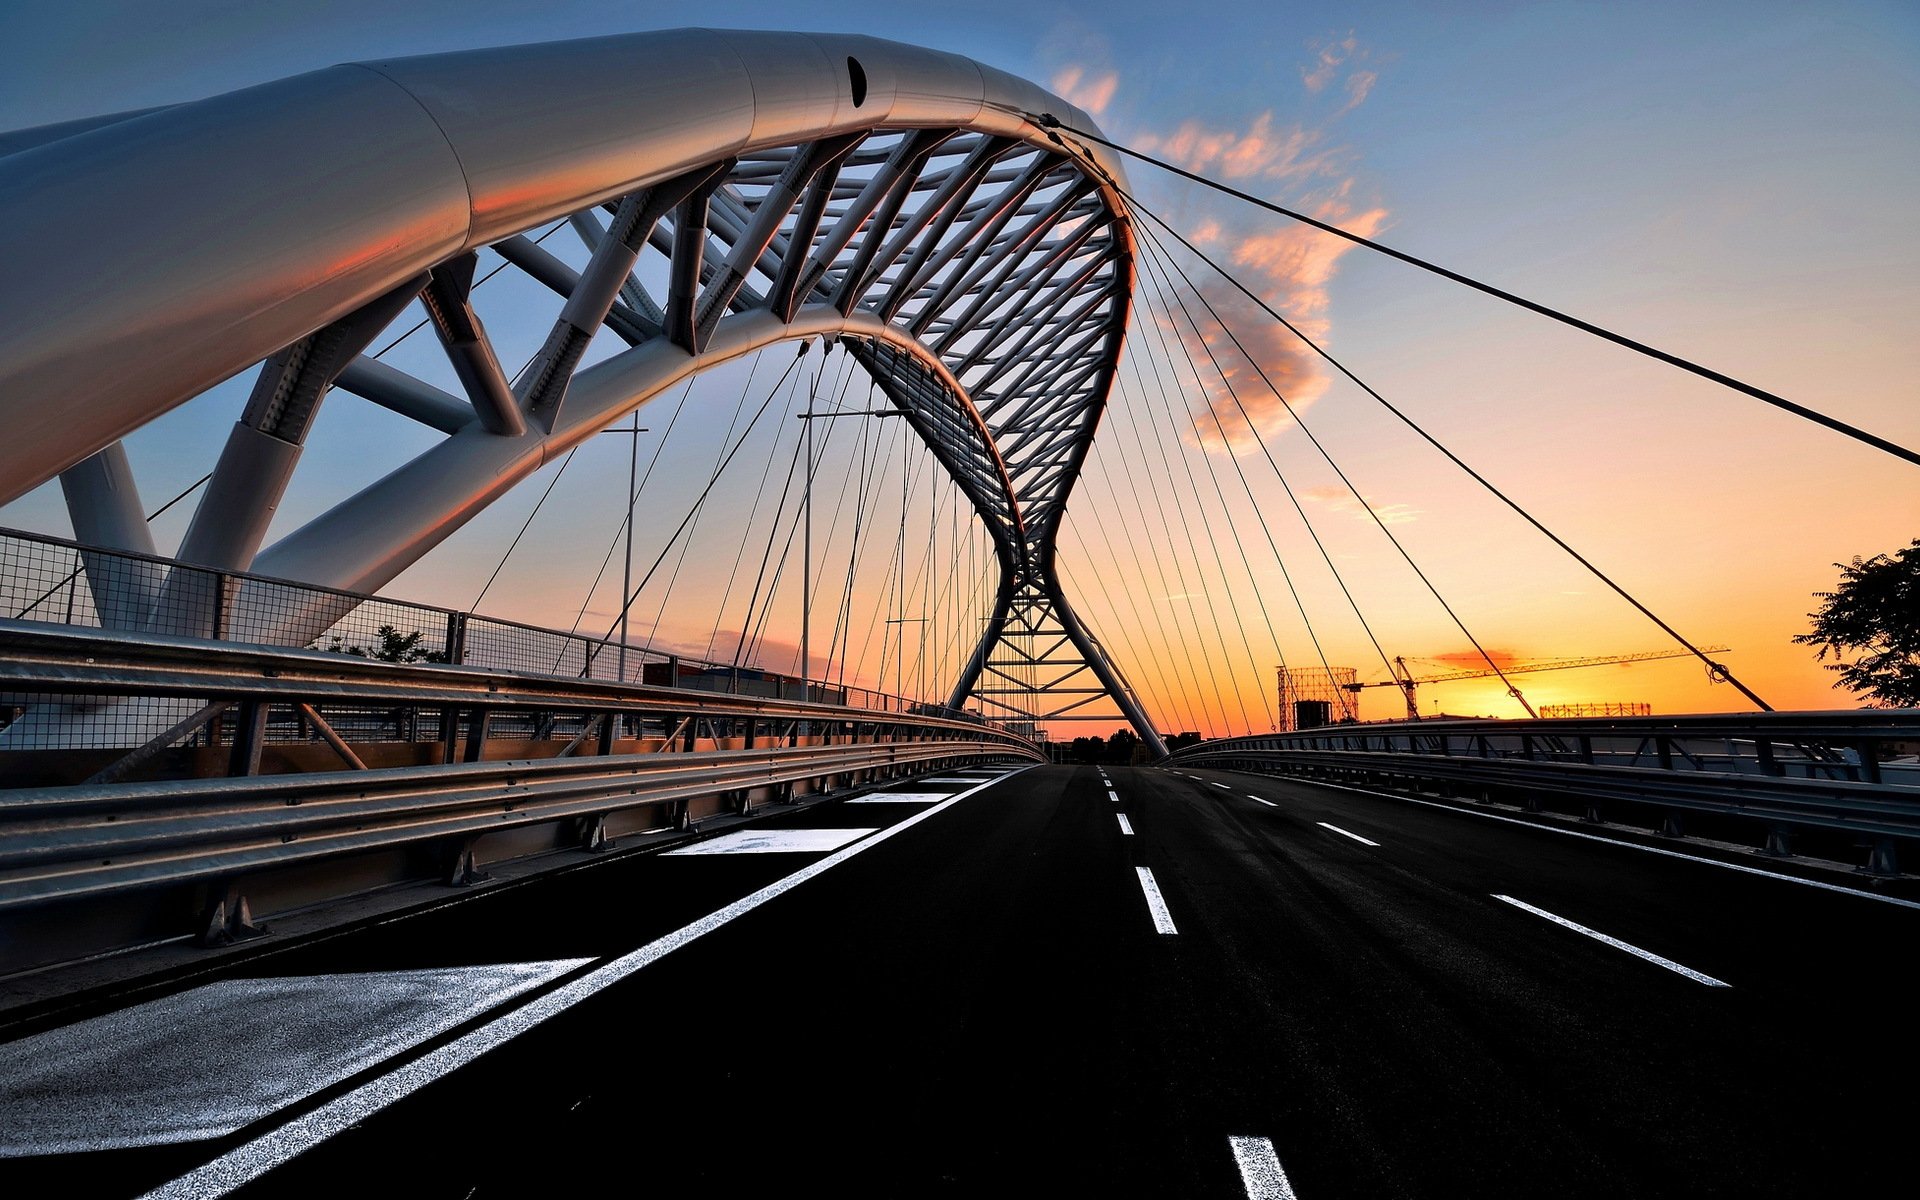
(276, 1147)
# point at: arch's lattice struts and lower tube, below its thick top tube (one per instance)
(982, 281)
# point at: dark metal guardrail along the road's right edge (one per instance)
(1787, 771)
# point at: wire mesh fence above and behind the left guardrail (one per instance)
(66, 583)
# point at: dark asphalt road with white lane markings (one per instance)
(972, 992)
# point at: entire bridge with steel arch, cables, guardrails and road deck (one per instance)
(300, 875)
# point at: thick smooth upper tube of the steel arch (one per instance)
(398, 166)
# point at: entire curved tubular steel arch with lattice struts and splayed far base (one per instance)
(900, 201)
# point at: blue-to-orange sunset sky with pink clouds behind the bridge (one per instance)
(1725, 181)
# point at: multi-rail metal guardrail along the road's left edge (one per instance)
(444, 765)
